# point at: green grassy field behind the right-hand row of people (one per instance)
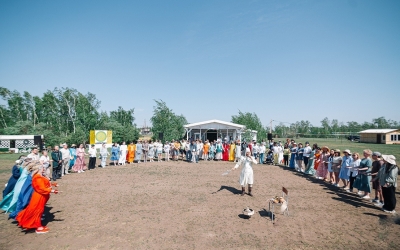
(353, 146)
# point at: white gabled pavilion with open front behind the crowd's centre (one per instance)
(213, 129)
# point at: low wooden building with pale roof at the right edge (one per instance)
(380, 136)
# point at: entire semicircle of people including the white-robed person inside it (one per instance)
(34, 176)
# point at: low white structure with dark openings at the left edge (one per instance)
(12, 142)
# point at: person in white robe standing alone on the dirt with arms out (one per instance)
(246, 176)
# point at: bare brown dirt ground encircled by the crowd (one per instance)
(179, 205)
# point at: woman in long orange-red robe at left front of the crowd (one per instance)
(31, 216)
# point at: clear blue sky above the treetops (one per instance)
(283, 60)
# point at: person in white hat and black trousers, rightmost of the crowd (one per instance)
(387, 177)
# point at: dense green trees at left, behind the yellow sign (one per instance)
(62, 115)
